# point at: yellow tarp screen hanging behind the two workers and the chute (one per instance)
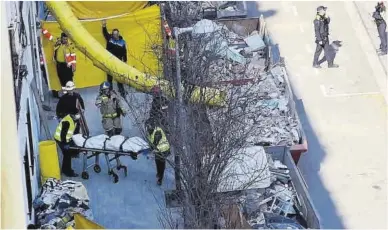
(140, 30)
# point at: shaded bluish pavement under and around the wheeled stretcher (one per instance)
(135, 201)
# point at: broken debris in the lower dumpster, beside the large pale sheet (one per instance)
(275, 207)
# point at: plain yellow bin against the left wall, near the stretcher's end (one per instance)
(48, 160)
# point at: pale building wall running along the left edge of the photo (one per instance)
(15, 205)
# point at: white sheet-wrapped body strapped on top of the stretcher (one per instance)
(133, 144)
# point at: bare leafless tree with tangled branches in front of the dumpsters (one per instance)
(210, 141)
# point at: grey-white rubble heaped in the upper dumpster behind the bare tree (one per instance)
(263, 96)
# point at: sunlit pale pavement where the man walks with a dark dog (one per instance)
(342, 111)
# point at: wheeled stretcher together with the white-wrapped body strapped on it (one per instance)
(117, 146)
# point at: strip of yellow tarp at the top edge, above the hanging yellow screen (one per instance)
(96, 9)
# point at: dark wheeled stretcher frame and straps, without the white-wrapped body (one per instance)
(95, 153)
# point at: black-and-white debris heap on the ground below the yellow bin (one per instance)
(59, 201)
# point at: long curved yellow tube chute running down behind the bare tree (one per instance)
(104, 60)
